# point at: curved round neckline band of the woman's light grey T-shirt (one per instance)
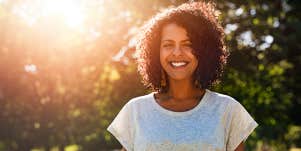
(183, 113)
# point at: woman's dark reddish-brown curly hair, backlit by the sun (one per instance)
(203, 29)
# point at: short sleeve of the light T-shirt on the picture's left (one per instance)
(122, 127)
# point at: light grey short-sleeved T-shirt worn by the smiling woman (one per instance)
(217, 123)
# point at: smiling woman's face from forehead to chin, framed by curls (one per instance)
(176, 55)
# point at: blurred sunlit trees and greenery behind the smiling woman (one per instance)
(67, 67)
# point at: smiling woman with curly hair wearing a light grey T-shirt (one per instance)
(181, 53)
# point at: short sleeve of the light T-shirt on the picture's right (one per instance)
(241, 126)
